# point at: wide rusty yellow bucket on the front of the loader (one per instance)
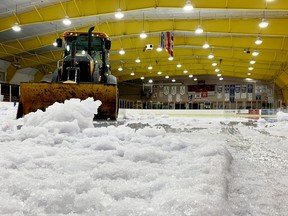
(34, 96)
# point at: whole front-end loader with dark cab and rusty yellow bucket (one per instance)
(83, 72)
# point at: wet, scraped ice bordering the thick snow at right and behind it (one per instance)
(259, 171)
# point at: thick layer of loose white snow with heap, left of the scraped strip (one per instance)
(59, 164)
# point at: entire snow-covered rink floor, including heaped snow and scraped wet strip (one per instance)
(60, 162)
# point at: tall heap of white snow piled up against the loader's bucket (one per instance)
(71, 116)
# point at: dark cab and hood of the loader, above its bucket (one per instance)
(87, 55)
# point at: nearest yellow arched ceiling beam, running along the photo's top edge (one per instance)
(92, 8)
